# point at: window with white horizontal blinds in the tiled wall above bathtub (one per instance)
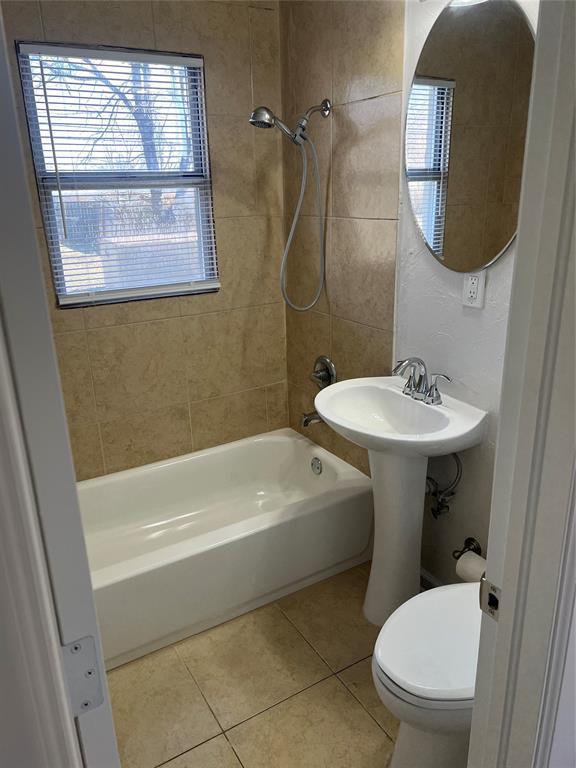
(121, 157)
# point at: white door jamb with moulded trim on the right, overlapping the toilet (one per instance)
(530, 548)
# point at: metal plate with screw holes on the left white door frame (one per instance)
(81, 665)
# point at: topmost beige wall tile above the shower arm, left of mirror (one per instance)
(368, 49)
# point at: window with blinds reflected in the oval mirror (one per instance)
(428, 127)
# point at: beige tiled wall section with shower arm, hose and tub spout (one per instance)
(350, 52)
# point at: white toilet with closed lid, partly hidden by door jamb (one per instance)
(424, 669)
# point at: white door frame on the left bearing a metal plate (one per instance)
(46, 590)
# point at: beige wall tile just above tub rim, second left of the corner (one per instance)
(232, 417)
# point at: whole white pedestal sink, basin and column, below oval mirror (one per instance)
(400, 434)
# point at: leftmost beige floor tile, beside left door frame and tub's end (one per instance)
(158, 710)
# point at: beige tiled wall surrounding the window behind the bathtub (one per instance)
(147, 380)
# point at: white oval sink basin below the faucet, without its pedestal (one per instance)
(375, 414)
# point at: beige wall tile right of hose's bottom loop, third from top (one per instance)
(360, 273)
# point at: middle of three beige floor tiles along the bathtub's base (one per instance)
(251, 663)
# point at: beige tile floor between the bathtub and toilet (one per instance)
(286, 686)
